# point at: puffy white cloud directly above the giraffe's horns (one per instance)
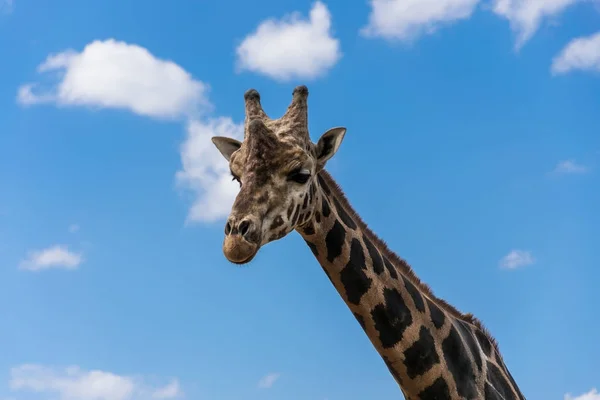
(291, 47)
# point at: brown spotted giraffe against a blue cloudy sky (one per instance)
(432, 350)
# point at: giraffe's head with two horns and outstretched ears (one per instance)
(276, 165)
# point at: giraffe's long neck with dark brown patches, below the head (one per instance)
(431, 349)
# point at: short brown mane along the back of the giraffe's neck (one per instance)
(405, 268)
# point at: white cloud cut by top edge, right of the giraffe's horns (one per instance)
(406, 20)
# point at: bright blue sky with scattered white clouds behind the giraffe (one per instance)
(472, 149)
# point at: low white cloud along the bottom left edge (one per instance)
(74, 383)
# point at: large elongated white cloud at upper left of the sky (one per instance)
(114, 74)
